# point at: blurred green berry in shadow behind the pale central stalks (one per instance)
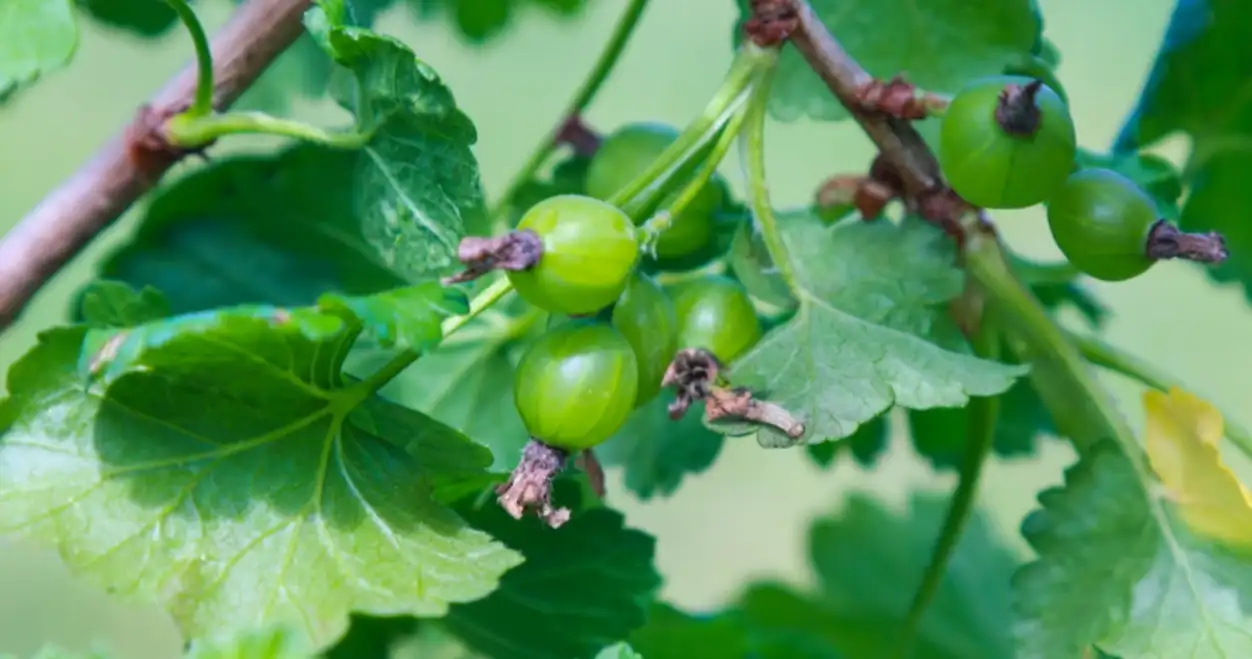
(624, 156)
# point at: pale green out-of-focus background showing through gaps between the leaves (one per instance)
(757, 502)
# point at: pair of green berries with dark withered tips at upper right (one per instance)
(1010, 142)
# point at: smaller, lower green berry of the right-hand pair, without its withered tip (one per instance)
(1101, 222)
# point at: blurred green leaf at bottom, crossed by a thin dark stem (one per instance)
(870, 561)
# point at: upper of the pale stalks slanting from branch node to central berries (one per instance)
(640, 192)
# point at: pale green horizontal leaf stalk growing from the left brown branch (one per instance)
(190, 131)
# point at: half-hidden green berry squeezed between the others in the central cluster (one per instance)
(647, 318)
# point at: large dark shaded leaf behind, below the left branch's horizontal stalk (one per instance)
(247, 230)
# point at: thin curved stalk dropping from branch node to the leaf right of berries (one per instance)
(758, 190)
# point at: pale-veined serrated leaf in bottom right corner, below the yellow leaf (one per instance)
(1150, 588)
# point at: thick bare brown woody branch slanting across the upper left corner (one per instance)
(131, 165)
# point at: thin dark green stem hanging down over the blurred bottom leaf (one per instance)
(983, 415)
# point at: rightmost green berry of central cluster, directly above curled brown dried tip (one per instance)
(717, 315)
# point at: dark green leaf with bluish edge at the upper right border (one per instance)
(1195, 88)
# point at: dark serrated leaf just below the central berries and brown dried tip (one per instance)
(657, 452)
